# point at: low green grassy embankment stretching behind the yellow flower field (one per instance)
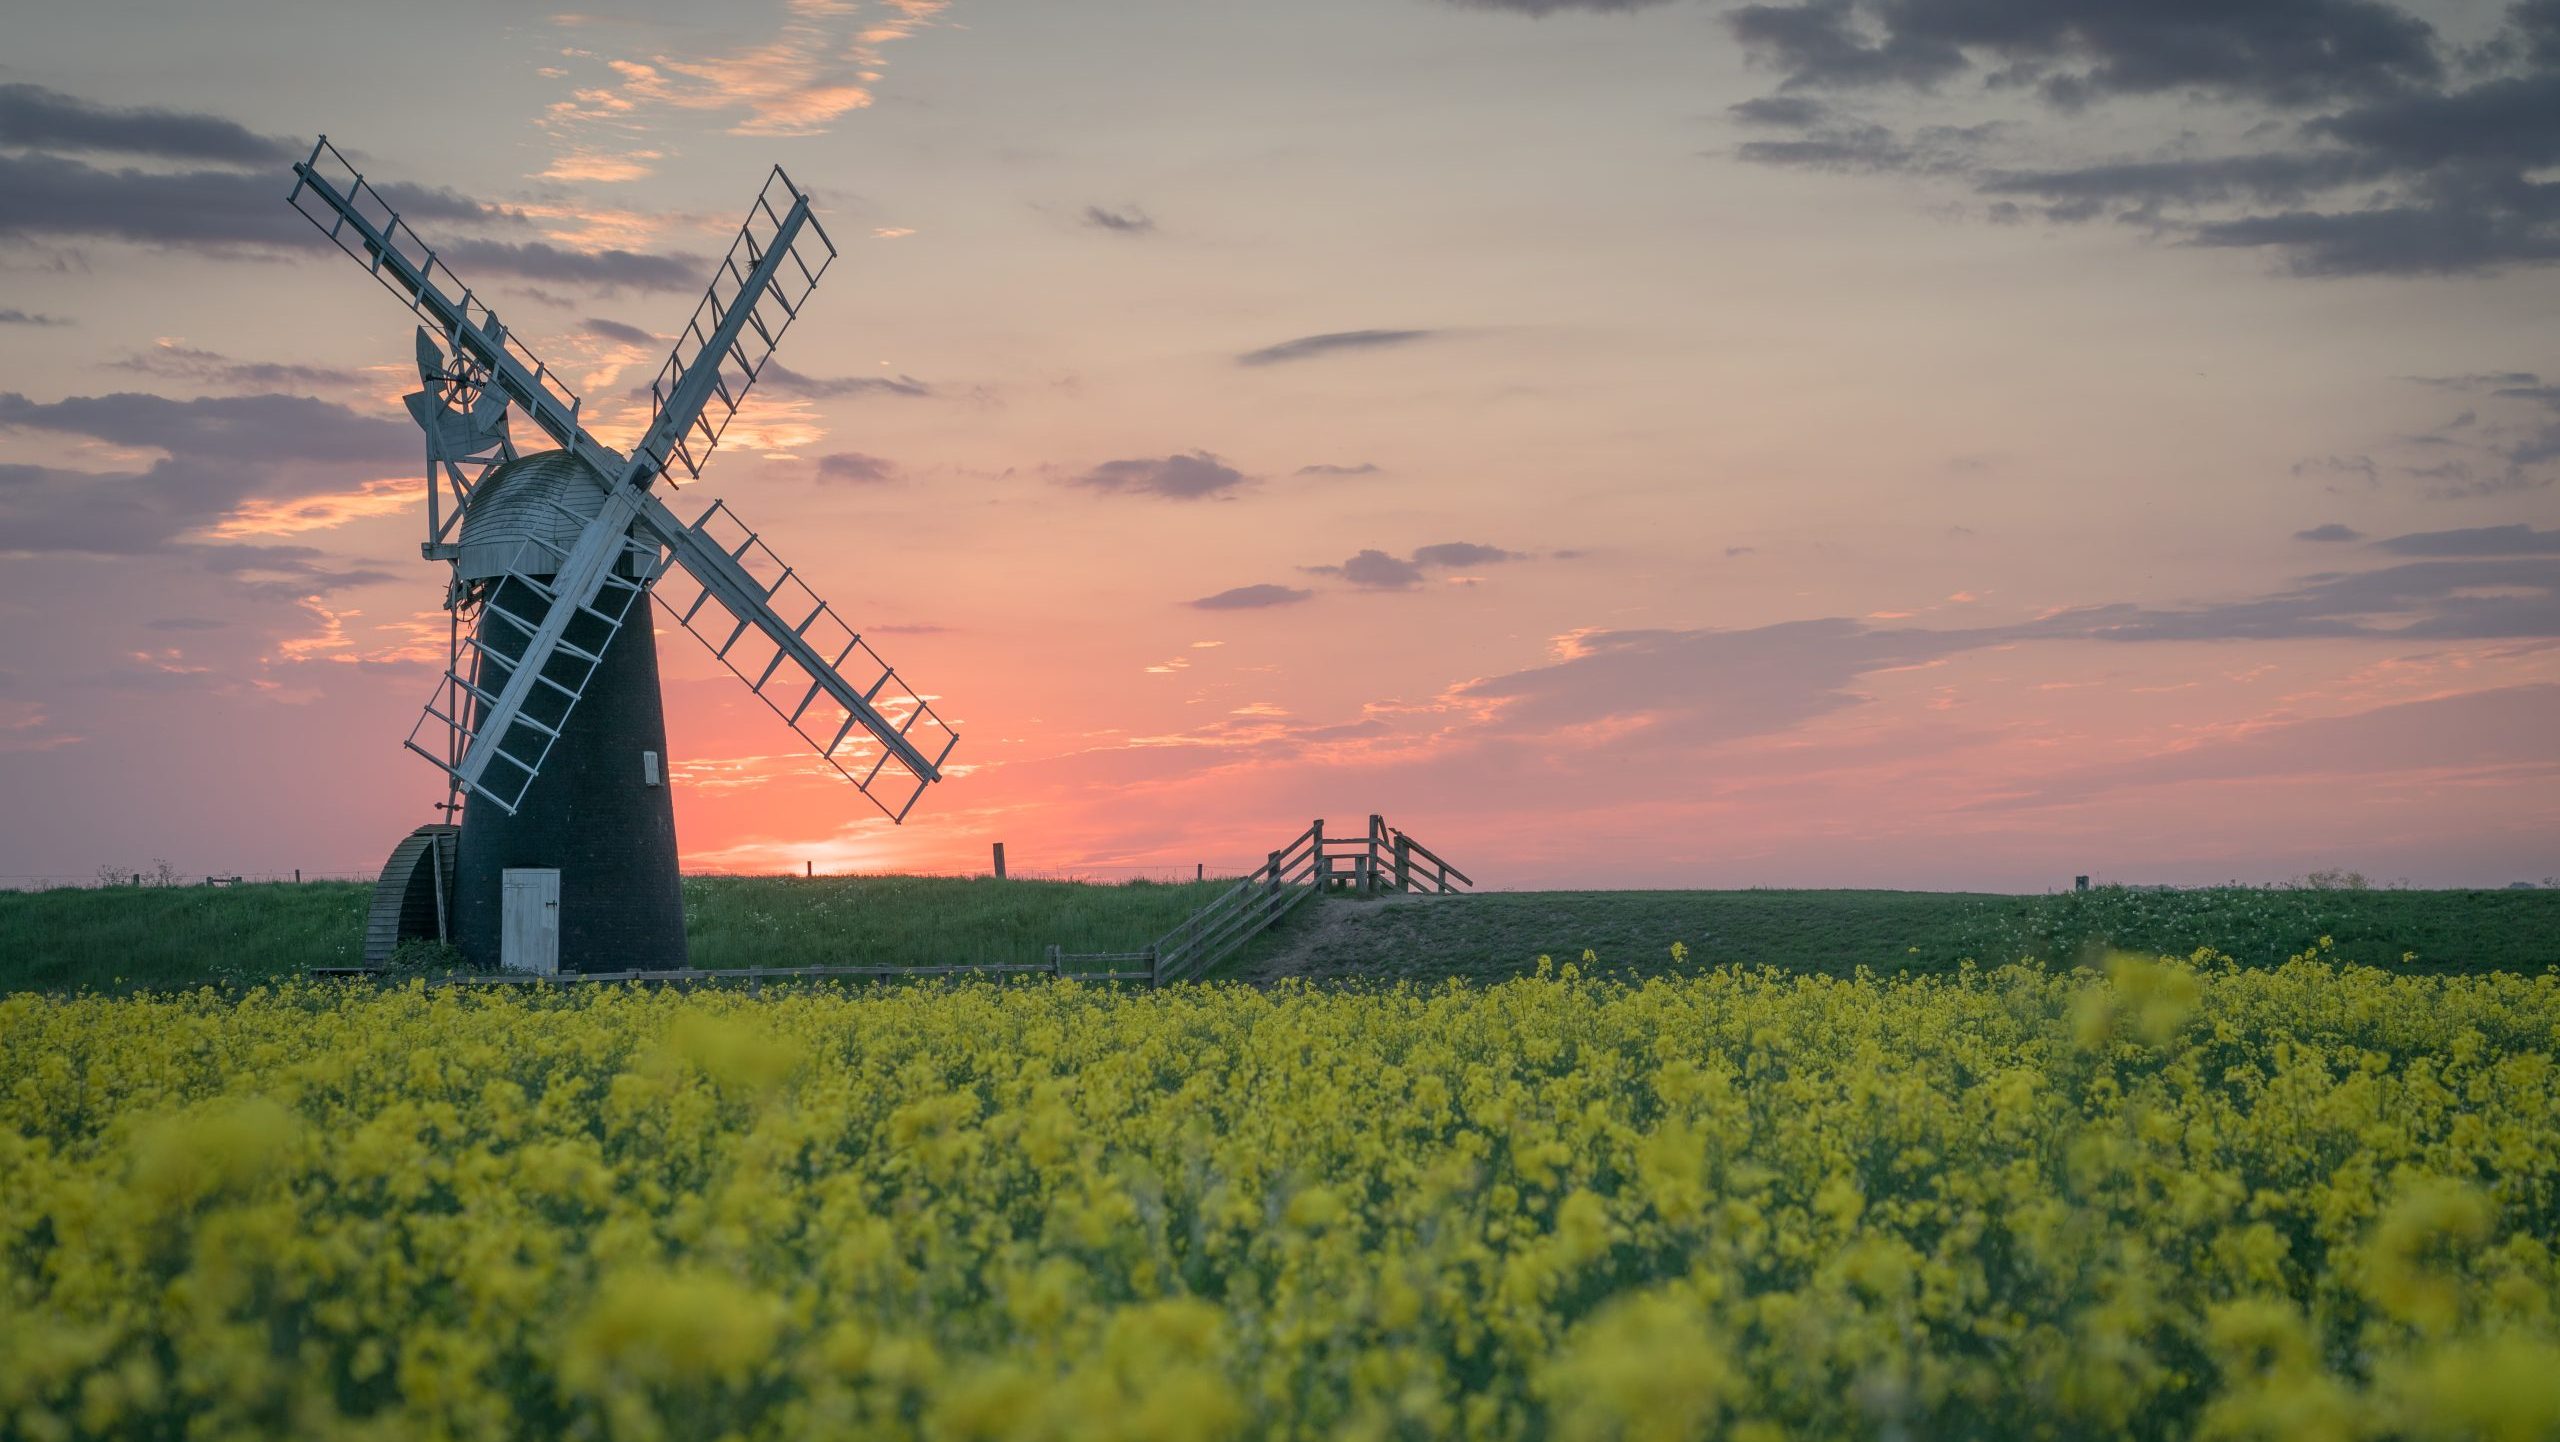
(180, 936)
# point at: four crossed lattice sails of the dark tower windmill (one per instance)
(529, 672)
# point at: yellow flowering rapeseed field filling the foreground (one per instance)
(2159, 1200)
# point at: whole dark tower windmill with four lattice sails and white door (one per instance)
(549, 724)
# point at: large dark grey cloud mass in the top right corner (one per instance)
(2372, 155)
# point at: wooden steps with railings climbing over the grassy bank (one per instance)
(1373, 864)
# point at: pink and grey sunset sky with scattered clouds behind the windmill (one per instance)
(1624, 444)
